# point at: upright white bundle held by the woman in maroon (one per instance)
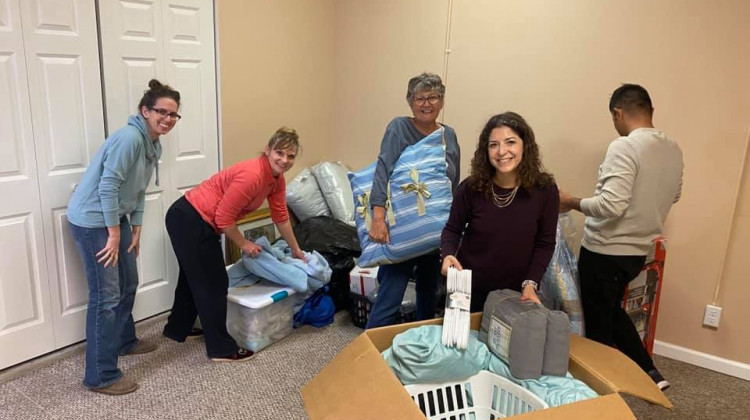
(456, 323)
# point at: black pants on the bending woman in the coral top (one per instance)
(202, 284)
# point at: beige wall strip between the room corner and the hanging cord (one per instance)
(379, 46)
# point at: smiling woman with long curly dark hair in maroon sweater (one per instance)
(504, 215)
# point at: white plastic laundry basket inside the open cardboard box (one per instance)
(484, 396)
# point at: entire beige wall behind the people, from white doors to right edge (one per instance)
(554, 62)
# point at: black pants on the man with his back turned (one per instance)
(603, 281)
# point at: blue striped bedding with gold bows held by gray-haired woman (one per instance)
(418, 206)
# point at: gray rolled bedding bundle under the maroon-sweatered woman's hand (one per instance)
(530, 338)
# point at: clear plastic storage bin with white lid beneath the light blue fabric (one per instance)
(259, 315)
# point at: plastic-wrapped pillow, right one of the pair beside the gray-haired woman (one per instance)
(337, 192)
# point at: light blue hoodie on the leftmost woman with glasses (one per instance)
(115, 182)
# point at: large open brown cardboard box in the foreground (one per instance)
(358, 384)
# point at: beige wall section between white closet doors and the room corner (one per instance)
(276, 68)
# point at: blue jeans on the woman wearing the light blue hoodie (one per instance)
(110, 330)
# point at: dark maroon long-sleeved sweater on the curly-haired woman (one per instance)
(502, 246)
